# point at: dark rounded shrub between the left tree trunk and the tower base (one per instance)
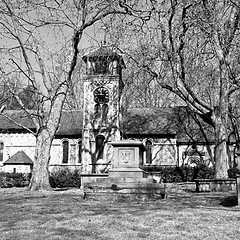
(64, 178)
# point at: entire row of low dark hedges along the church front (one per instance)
(65, 178)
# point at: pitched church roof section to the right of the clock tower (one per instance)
(165, 122)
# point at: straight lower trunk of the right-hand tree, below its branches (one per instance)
(221, 153)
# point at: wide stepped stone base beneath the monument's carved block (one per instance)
(121, 185)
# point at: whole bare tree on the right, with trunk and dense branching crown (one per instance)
(191, 48)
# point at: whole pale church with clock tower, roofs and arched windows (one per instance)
(83, 140)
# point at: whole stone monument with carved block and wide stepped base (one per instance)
(126, 179)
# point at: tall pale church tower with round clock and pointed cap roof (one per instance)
(102, 89)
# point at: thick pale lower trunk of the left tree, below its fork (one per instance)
(40, 175)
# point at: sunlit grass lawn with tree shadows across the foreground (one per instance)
(65, 215)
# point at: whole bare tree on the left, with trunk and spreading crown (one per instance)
(41, 47)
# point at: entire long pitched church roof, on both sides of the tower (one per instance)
(173, 122)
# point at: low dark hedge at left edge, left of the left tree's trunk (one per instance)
(8, 180)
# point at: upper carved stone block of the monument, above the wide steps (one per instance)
(127, 157)
